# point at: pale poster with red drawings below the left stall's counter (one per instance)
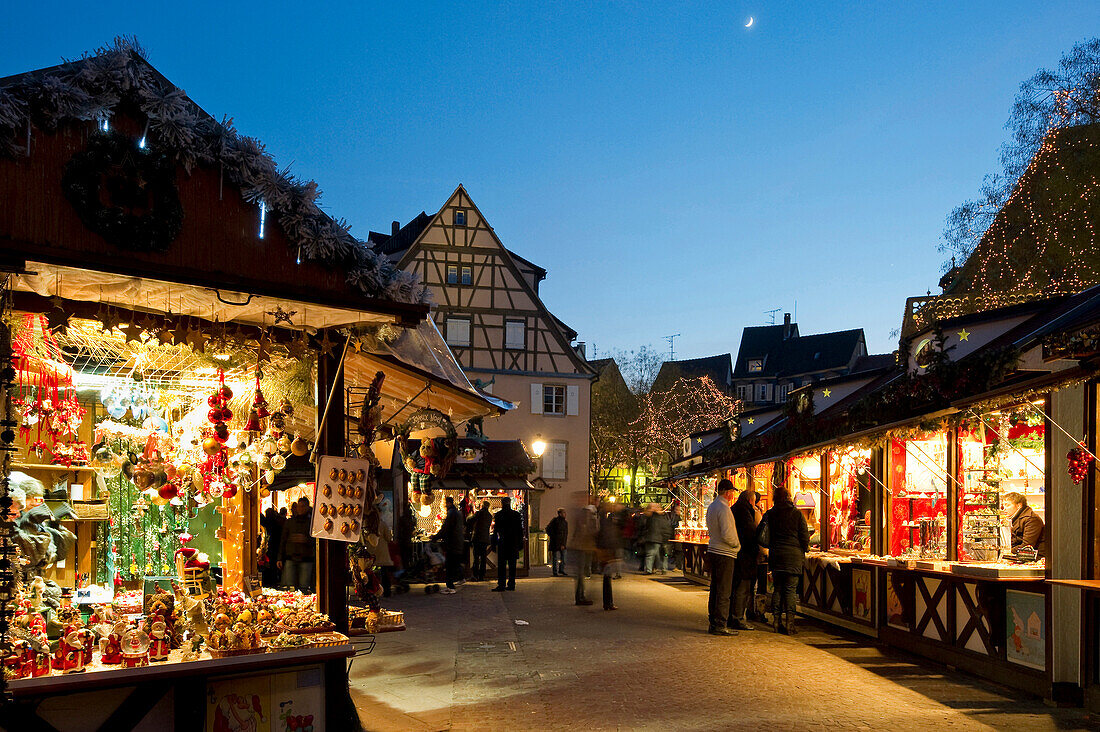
(291, 702)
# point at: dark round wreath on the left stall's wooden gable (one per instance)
(125, 194)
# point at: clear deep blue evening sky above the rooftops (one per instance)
(674, 171)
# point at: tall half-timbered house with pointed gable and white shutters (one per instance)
(488, 307)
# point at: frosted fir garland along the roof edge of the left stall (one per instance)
(118, 74)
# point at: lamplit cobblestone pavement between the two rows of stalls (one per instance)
(465, 664)
